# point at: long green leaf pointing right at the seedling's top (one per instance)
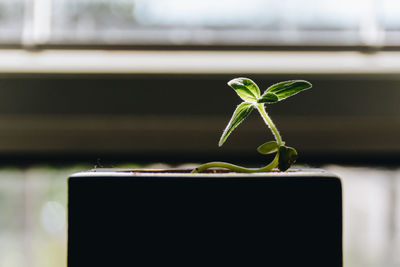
(288, 88)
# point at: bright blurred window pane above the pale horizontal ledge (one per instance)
(208, 22)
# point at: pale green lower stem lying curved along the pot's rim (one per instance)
(237, 168)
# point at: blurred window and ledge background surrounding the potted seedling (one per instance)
(130, 83)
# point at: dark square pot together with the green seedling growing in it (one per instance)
(218, 214)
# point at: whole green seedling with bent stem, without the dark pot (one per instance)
(249, 92)
